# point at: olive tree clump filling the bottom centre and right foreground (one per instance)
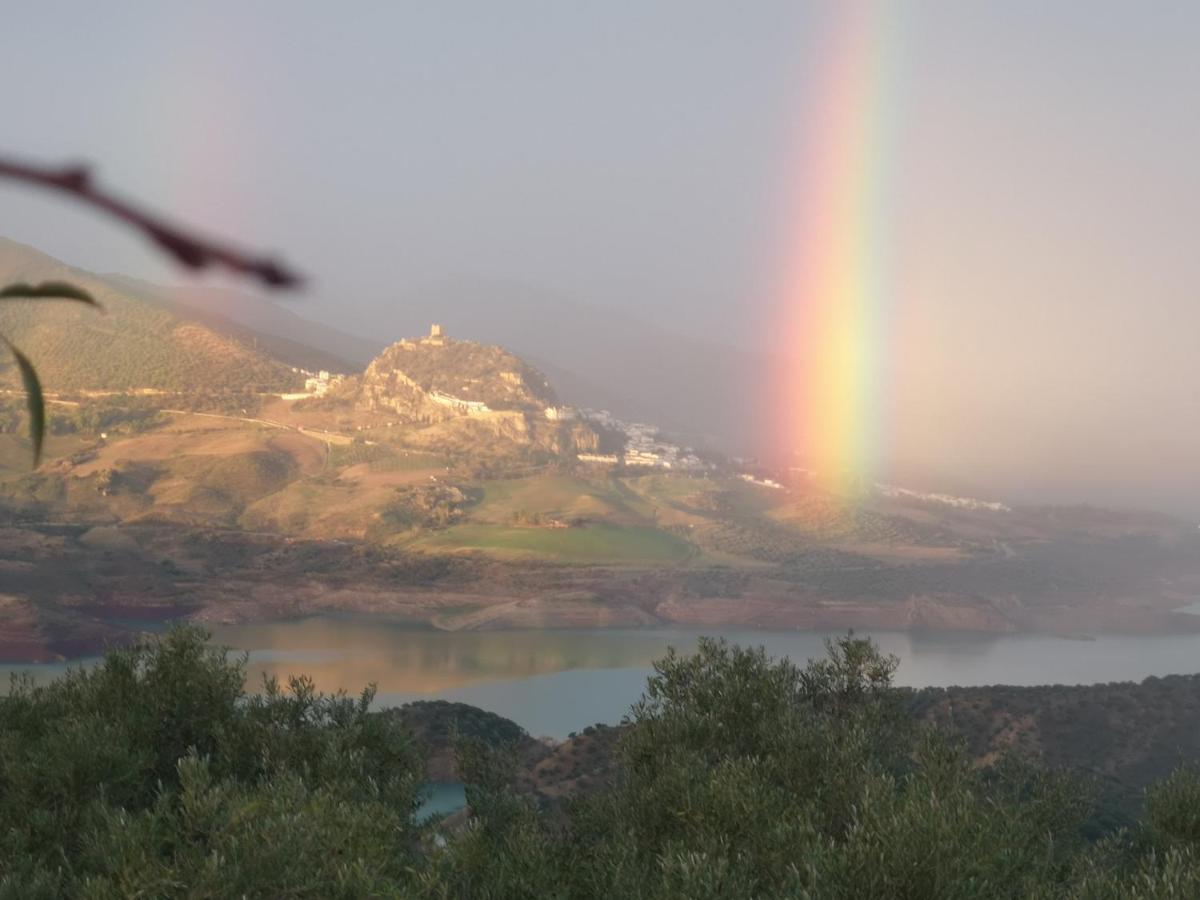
(751, 778)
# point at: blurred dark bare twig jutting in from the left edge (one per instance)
(193, 253)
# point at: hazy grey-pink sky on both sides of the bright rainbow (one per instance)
(1043, 158)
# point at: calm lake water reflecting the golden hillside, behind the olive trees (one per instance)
(557, 682)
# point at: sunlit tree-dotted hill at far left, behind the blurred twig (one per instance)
(143, 339)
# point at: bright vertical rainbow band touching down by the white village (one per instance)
(835, 293)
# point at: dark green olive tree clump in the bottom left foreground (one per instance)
(155, 775)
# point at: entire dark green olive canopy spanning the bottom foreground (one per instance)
(157, 775)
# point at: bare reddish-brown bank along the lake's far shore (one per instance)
(69, 592)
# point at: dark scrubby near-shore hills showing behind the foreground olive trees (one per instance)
(1121, 737)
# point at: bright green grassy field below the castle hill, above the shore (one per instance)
(598, 543)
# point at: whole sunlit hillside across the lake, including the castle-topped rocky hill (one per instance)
(445, 448)
